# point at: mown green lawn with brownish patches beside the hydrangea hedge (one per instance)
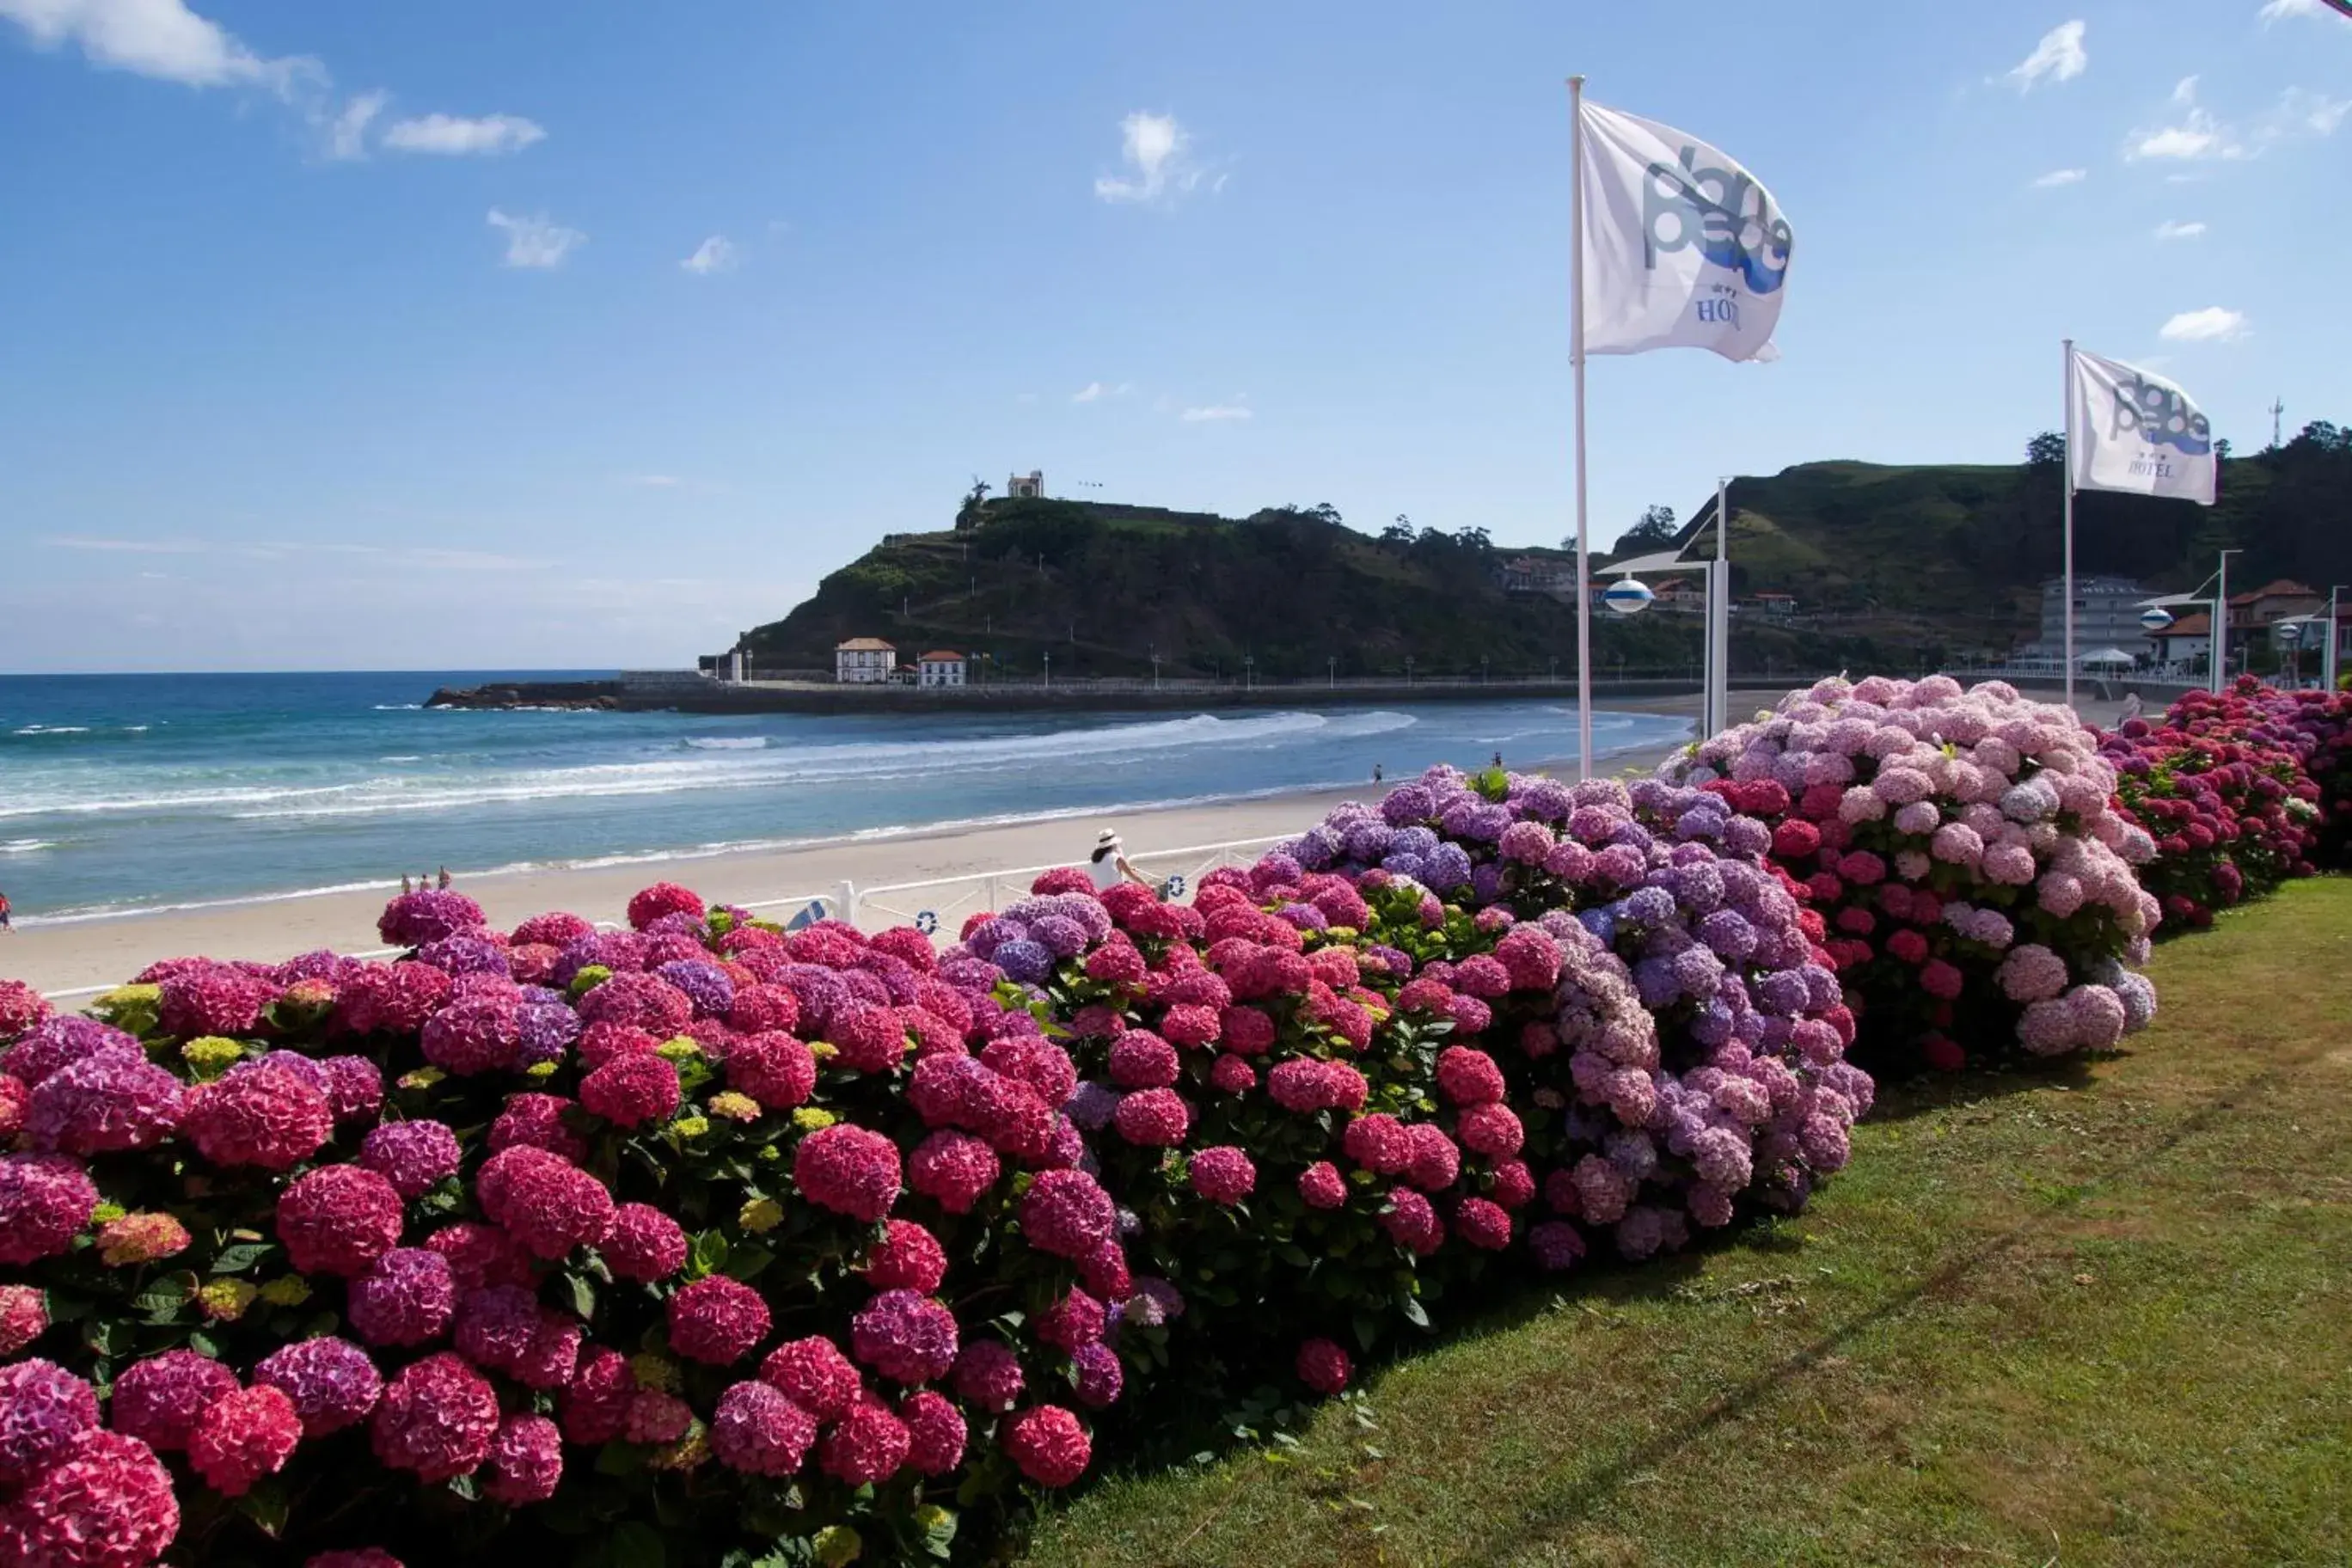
(2073, 1318)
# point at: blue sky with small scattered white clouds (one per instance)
(544, 335)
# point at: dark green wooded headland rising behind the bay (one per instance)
(1890, 565)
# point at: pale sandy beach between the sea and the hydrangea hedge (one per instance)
(95, 953)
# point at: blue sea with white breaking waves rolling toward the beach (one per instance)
(154, 791)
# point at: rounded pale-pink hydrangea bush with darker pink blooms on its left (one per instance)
(1967, 857)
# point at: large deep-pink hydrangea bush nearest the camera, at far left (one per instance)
(528, 1214)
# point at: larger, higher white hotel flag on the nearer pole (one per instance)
(1683, 246)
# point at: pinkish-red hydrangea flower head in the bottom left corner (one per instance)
(107, 1506)
